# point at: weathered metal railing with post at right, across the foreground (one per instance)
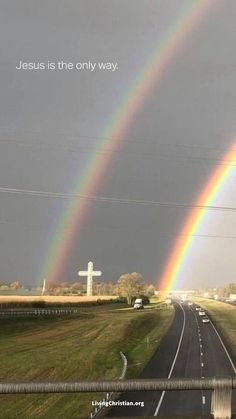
(221, 399)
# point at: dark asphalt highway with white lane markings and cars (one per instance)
(190, 349)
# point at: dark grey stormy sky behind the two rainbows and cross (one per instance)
(50, 120)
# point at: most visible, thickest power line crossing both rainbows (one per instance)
(47, 194)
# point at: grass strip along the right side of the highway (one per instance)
(223, 316)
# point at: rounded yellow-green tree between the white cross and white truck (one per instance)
(129, 285)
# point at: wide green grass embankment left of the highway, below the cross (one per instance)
(83, 347)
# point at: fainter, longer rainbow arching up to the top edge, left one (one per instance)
(148, 78)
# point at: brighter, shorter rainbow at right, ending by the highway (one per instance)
(194, 220)
